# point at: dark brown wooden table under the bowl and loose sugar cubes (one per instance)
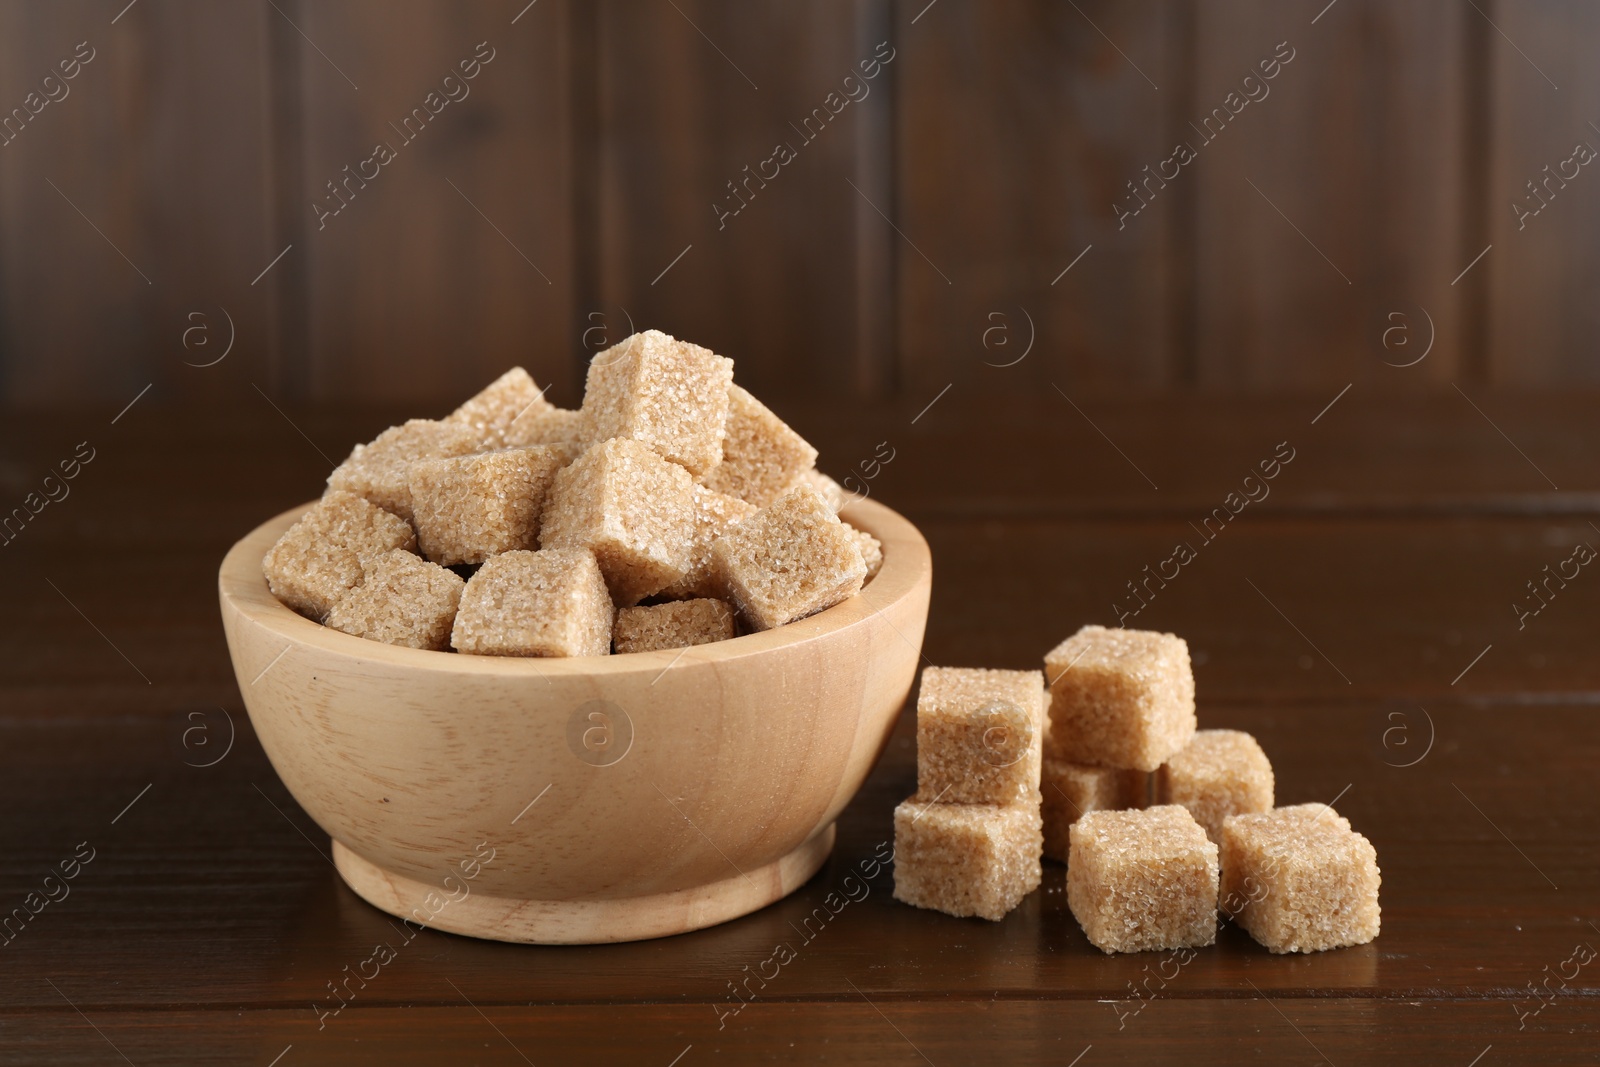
(1359, 621)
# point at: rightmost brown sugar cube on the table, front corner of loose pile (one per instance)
(1300, 879)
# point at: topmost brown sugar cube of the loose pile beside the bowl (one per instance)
(1121, 698)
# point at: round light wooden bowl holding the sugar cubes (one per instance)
(580, 801)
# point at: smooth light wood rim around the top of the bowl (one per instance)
(906, 572)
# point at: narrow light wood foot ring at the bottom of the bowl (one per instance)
(586, 922)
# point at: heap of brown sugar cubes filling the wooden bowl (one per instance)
(519, 529)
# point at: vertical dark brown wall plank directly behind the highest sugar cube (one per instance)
(769, 265)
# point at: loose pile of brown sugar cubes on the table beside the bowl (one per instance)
(1010, 772)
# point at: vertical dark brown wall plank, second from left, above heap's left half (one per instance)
(457, 260)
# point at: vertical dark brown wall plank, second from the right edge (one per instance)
(1330, 199)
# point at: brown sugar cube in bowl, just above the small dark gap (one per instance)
(471, 508)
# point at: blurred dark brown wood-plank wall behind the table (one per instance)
(919, 239)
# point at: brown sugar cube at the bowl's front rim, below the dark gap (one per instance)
(535, 604)
